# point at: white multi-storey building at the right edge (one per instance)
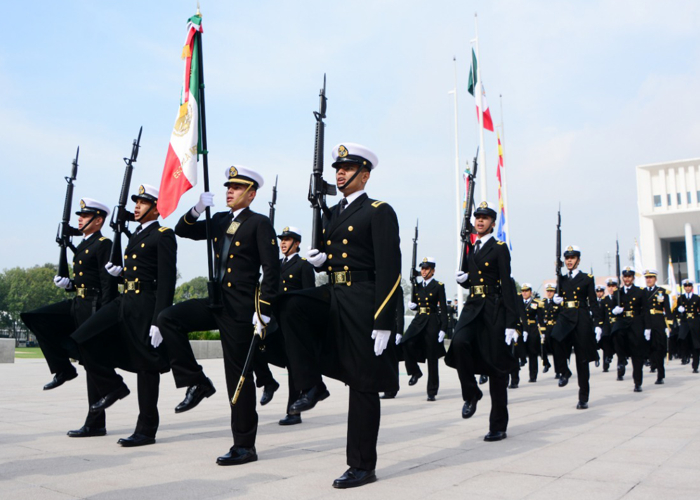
(668, 198)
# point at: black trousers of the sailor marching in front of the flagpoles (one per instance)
(498, 382)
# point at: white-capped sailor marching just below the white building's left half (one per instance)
(658, 305)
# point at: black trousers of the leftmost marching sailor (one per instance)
(52, 325)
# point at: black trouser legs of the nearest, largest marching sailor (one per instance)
(304, 329)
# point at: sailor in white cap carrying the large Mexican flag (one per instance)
(244, 241)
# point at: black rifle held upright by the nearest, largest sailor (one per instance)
(318, 188)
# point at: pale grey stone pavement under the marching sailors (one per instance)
(627, 445)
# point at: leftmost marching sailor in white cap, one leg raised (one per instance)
(93, 287)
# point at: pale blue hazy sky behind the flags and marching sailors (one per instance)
(590, 90)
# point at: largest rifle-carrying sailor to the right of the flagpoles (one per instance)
(579, 324)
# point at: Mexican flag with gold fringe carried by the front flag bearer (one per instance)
(180, 171)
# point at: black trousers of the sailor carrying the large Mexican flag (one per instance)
(192, 315)
